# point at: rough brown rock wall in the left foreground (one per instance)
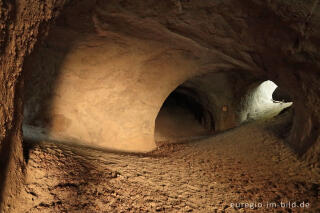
(21, 24)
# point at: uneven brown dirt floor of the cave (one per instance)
(249, 165)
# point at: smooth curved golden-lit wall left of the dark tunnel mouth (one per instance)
(104, 94)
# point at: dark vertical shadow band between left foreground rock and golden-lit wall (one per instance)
(42, 68)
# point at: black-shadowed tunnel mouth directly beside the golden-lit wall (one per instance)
(182, 118)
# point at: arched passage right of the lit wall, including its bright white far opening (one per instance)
(210, 103)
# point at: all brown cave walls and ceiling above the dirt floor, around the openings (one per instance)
(99, 52)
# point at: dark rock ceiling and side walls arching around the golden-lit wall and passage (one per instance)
(284, 49)
